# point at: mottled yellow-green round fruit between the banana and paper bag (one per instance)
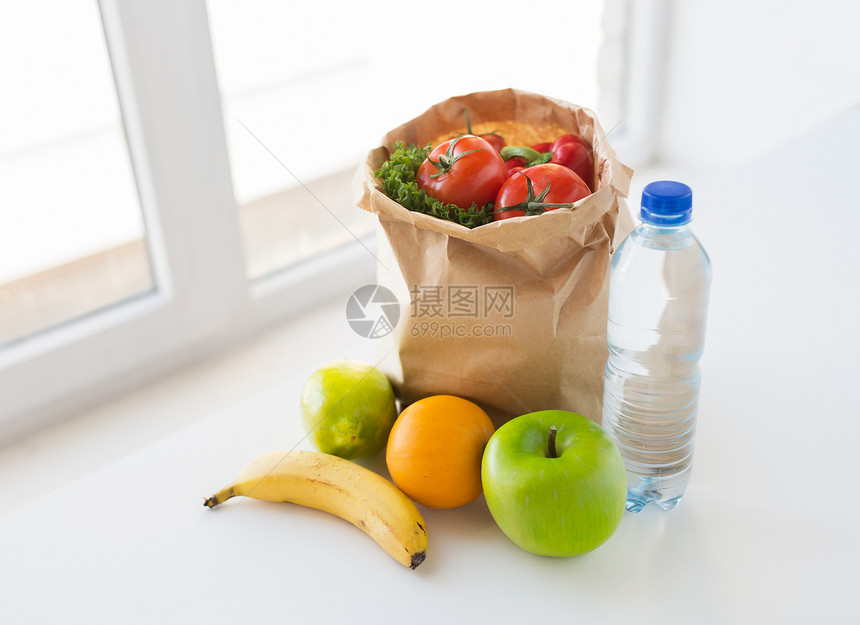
(348, 409)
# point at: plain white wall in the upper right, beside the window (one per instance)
(744, 77)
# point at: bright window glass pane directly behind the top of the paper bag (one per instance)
(308, 88)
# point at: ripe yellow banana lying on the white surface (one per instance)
(340, 487)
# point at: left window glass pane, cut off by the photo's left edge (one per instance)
(71, 230)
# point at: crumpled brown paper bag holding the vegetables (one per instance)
(511, 314)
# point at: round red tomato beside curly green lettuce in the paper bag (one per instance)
(463, 171)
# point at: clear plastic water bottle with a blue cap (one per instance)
(658, 302)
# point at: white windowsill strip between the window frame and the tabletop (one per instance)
(65, 451)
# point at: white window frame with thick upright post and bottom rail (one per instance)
(203, 302)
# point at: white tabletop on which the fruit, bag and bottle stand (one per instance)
(767, 533)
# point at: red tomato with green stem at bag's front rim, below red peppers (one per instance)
(553, 186)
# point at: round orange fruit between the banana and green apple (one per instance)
(435, 448)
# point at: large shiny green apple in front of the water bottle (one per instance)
(554, 482)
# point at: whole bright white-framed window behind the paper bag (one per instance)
(243, 124)
